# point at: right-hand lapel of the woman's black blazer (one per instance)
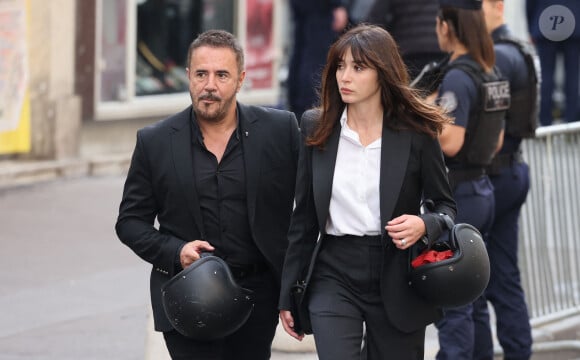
(395, 149)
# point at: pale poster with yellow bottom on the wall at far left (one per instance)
(14, 99)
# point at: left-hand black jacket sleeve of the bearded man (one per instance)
(137, 213)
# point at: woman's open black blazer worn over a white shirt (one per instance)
(411, 167)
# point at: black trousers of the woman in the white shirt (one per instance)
(345, 297)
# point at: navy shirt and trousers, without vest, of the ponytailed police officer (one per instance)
(473, 193)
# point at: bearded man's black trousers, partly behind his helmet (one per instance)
(253, 341)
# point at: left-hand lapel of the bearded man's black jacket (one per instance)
(181, 150)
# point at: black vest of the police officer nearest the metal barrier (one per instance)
(522, 116)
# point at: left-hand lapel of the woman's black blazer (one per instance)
(323, 163)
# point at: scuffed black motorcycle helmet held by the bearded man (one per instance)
(204, 302)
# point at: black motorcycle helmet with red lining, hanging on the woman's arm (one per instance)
(460, 279)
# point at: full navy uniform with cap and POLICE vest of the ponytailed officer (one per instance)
(465, 92)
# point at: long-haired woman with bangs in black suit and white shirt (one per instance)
(370, 156)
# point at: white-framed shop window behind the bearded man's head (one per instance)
(141, 49)
